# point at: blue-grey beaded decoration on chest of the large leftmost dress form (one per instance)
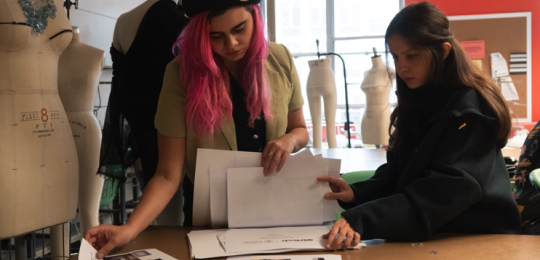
(37, 12)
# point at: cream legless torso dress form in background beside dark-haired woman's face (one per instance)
(377, 85)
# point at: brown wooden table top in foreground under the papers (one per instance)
(173, 241)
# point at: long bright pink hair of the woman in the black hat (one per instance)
(207, 81)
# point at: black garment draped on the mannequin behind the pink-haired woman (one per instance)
(138, 78)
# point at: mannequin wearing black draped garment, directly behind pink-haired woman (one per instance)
(141, 49)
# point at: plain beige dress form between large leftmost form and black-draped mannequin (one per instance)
(78, 77)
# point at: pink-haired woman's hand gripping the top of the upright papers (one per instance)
(276, 152)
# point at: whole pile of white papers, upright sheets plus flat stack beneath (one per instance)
(231, 191)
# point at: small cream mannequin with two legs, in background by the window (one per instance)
(321, 83)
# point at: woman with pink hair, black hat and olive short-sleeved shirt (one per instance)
(228, 89)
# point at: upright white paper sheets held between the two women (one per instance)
(231, 191)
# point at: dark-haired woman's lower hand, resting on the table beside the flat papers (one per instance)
(342, 234)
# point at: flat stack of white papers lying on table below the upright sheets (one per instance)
(221, 243)
